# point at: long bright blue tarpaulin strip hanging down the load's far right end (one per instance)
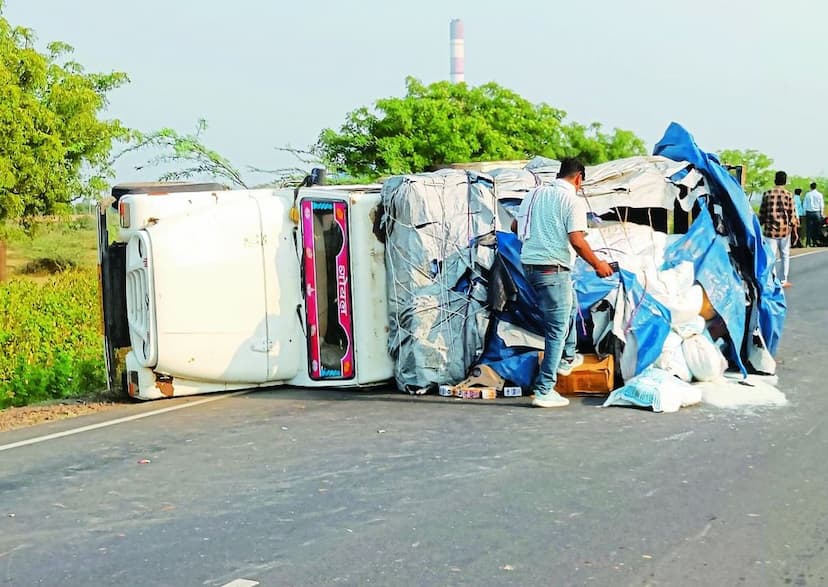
(678, 145)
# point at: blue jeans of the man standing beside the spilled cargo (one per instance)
(556, 300)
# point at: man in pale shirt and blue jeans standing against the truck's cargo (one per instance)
(551, 223)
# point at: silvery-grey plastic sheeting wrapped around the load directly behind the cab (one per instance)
(434, 258)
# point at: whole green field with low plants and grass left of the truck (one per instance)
(49, 315)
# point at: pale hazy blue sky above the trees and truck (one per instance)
(270, 73)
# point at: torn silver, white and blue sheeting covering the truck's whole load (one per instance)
(458, 296)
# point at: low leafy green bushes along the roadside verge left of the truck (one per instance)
(52, 347)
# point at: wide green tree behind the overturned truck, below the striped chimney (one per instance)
(446, 123)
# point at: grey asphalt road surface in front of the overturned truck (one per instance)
(327, 488)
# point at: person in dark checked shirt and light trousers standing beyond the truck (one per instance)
(778, 218)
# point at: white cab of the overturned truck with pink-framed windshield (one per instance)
(216, 290)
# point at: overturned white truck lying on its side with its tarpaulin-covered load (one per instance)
(419, 279)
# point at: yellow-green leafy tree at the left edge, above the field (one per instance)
(54, 146)
